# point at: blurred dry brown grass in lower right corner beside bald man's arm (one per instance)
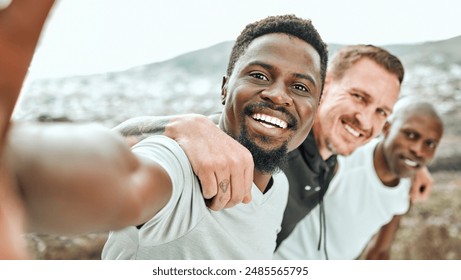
(432, 230)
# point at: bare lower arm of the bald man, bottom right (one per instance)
(380, 246)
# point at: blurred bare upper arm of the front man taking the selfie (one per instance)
(80, 178)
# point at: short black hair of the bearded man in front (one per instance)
(288, 24)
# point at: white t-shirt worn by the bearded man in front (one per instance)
(186, 229)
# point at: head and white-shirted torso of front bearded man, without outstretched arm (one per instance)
(271, 93)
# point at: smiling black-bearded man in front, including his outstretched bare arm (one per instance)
(83, 178)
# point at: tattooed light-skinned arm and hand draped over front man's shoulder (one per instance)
(224, 167)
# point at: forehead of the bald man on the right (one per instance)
(429, 127)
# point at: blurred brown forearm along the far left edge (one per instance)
(20, 27)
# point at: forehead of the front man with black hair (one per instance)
(288, 52)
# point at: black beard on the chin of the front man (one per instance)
(266, 161)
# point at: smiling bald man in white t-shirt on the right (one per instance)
(370, 192)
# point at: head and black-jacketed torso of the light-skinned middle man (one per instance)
(361, 88)
